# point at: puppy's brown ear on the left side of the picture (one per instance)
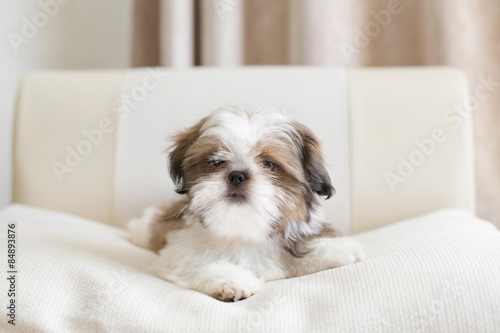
(178, 154)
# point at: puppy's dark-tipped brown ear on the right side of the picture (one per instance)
(312, 160)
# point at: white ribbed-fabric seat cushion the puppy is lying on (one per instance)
(437, 272)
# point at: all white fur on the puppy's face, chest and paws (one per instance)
(226, 249)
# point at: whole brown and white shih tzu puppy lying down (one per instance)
(251, 183)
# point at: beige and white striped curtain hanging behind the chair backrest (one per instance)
(461, 33)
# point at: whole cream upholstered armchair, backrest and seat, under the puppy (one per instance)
(89, 155)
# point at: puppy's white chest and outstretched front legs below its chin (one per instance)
(234, 269)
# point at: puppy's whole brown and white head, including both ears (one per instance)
(248, 174)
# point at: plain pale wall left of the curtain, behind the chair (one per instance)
(55, 34)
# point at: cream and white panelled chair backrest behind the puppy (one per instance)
(92, 143)
